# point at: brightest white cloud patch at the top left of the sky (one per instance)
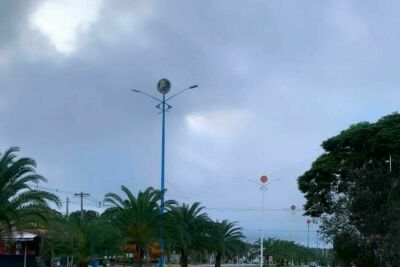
(63, 21)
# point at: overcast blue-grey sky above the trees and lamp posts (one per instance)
(275, 78)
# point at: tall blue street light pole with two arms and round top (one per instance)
(163, 86)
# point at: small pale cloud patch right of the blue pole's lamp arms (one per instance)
(222, 124)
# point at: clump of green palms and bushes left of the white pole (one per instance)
(129, 230)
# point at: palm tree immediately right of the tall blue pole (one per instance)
(187, 229)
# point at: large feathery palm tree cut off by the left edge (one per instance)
(22, 206)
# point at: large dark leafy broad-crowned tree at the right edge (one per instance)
(355, 188)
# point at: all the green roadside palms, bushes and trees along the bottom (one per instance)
(353, 188)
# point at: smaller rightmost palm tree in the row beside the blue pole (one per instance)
(226, 240)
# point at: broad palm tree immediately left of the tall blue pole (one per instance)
(138, 219)
